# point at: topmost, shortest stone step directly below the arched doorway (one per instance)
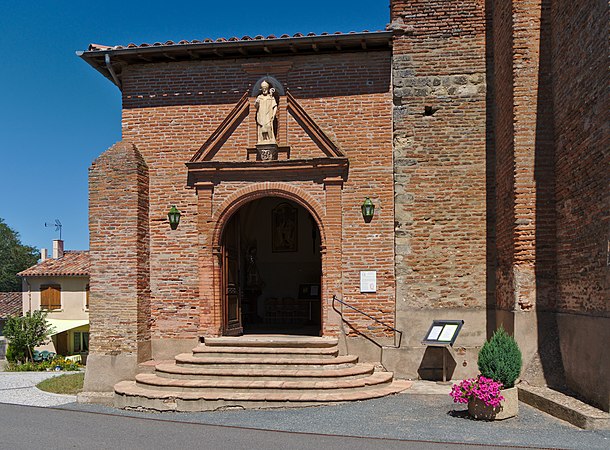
(271, 340)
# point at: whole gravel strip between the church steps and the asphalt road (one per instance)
(422, 416)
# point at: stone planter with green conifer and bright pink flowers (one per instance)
(493, 395)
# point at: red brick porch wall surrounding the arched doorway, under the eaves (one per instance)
(169, 112)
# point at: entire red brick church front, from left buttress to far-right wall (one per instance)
(478, 128)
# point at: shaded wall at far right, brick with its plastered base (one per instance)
(579, 54)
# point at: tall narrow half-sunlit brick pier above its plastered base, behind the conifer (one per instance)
(524, 157)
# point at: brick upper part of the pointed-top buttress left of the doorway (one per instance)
(119, 308)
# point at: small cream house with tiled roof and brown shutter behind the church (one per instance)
(60, 286)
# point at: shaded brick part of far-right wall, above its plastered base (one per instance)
(579, 53)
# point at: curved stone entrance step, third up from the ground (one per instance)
(171, 370)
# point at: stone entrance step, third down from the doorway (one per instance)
(265, 361)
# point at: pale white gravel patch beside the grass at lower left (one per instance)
(19, 388)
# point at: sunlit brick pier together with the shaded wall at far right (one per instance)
(551, 158)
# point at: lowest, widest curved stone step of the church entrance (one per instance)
(129, 395)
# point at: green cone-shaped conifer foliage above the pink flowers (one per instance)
(500, 358)
